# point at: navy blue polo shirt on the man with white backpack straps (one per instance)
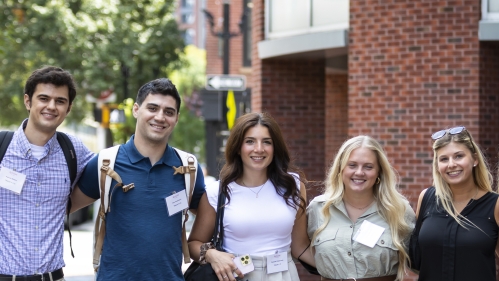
(142, 241)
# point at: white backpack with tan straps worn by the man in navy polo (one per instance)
(106, 174)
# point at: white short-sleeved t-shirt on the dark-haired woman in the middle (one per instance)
(256, 226)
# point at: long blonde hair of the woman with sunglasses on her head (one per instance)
(481, 174)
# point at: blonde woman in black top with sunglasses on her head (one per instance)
(458, 236)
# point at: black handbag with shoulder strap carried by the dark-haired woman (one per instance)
(204, 272)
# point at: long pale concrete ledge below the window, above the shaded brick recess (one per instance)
(303, 43)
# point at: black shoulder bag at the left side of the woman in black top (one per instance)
(414, 251)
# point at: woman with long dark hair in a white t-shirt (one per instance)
(264, 209)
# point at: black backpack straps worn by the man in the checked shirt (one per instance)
(69, 154)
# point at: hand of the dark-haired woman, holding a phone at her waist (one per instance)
(223, 265)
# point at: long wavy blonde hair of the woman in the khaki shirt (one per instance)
(390, 202)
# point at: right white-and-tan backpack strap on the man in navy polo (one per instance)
(189, 169)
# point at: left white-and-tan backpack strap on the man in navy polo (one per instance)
(105, 166)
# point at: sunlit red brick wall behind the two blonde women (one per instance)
(414, 69)
